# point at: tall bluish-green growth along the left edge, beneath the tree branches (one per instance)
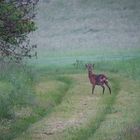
(16, 92)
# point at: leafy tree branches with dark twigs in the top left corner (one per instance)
(16, 22)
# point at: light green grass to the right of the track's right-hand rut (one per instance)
(123, 120)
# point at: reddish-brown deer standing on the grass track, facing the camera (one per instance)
(99, 80)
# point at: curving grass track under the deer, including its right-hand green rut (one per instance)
(69, 107)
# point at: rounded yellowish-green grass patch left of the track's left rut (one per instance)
(50, 97)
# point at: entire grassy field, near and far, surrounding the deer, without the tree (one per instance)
(50, 97)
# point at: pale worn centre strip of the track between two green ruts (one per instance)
(77, 107)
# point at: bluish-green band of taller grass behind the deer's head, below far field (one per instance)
(129, 68)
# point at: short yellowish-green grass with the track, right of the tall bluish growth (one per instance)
(79, 115)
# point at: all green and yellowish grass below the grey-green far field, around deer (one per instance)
(29, 95)
